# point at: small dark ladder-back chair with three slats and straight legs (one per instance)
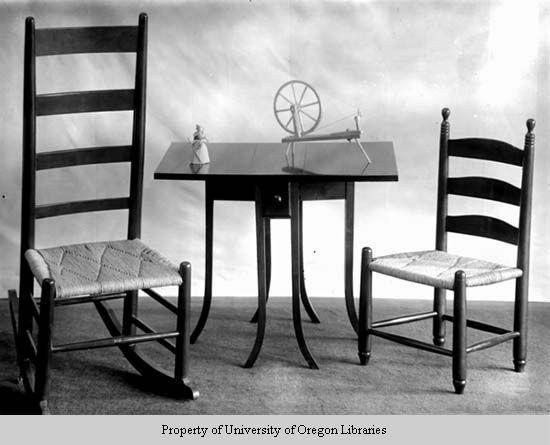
(445, 271)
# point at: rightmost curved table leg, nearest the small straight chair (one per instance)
(348, 253)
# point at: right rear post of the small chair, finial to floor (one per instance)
(522, 283)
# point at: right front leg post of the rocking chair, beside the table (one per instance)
(181, 368)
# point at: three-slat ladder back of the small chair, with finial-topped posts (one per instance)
(486, 188)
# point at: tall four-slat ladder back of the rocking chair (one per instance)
(57, 41)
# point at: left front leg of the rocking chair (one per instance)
(44, 346)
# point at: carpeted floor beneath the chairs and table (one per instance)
(398, 380)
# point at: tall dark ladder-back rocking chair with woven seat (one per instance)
(97, 271)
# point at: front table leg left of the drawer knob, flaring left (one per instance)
(262, 280)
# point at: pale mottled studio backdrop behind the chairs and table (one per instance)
(219, 64)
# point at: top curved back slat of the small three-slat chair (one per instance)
(488, 149)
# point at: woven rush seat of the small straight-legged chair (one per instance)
(437, 268)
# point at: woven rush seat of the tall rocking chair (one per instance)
(102, 267)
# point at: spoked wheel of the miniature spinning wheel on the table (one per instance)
(304, 88)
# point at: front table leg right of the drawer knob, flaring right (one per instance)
(296, 246)
